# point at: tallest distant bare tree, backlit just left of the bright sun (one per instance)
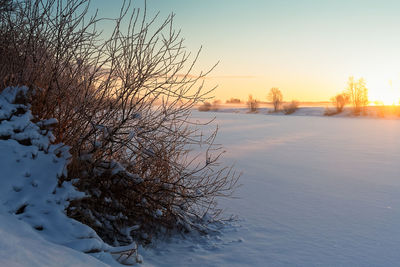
(358, 94)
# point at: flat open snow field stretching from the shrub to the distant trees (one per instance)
(317, 191)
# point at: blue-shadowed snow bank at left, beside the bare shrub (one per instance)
(32, 202)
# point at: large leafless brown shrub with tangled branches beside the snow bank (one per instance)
(123, 103)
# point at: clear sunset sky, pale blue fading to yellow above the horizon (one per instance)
(306, 48)
